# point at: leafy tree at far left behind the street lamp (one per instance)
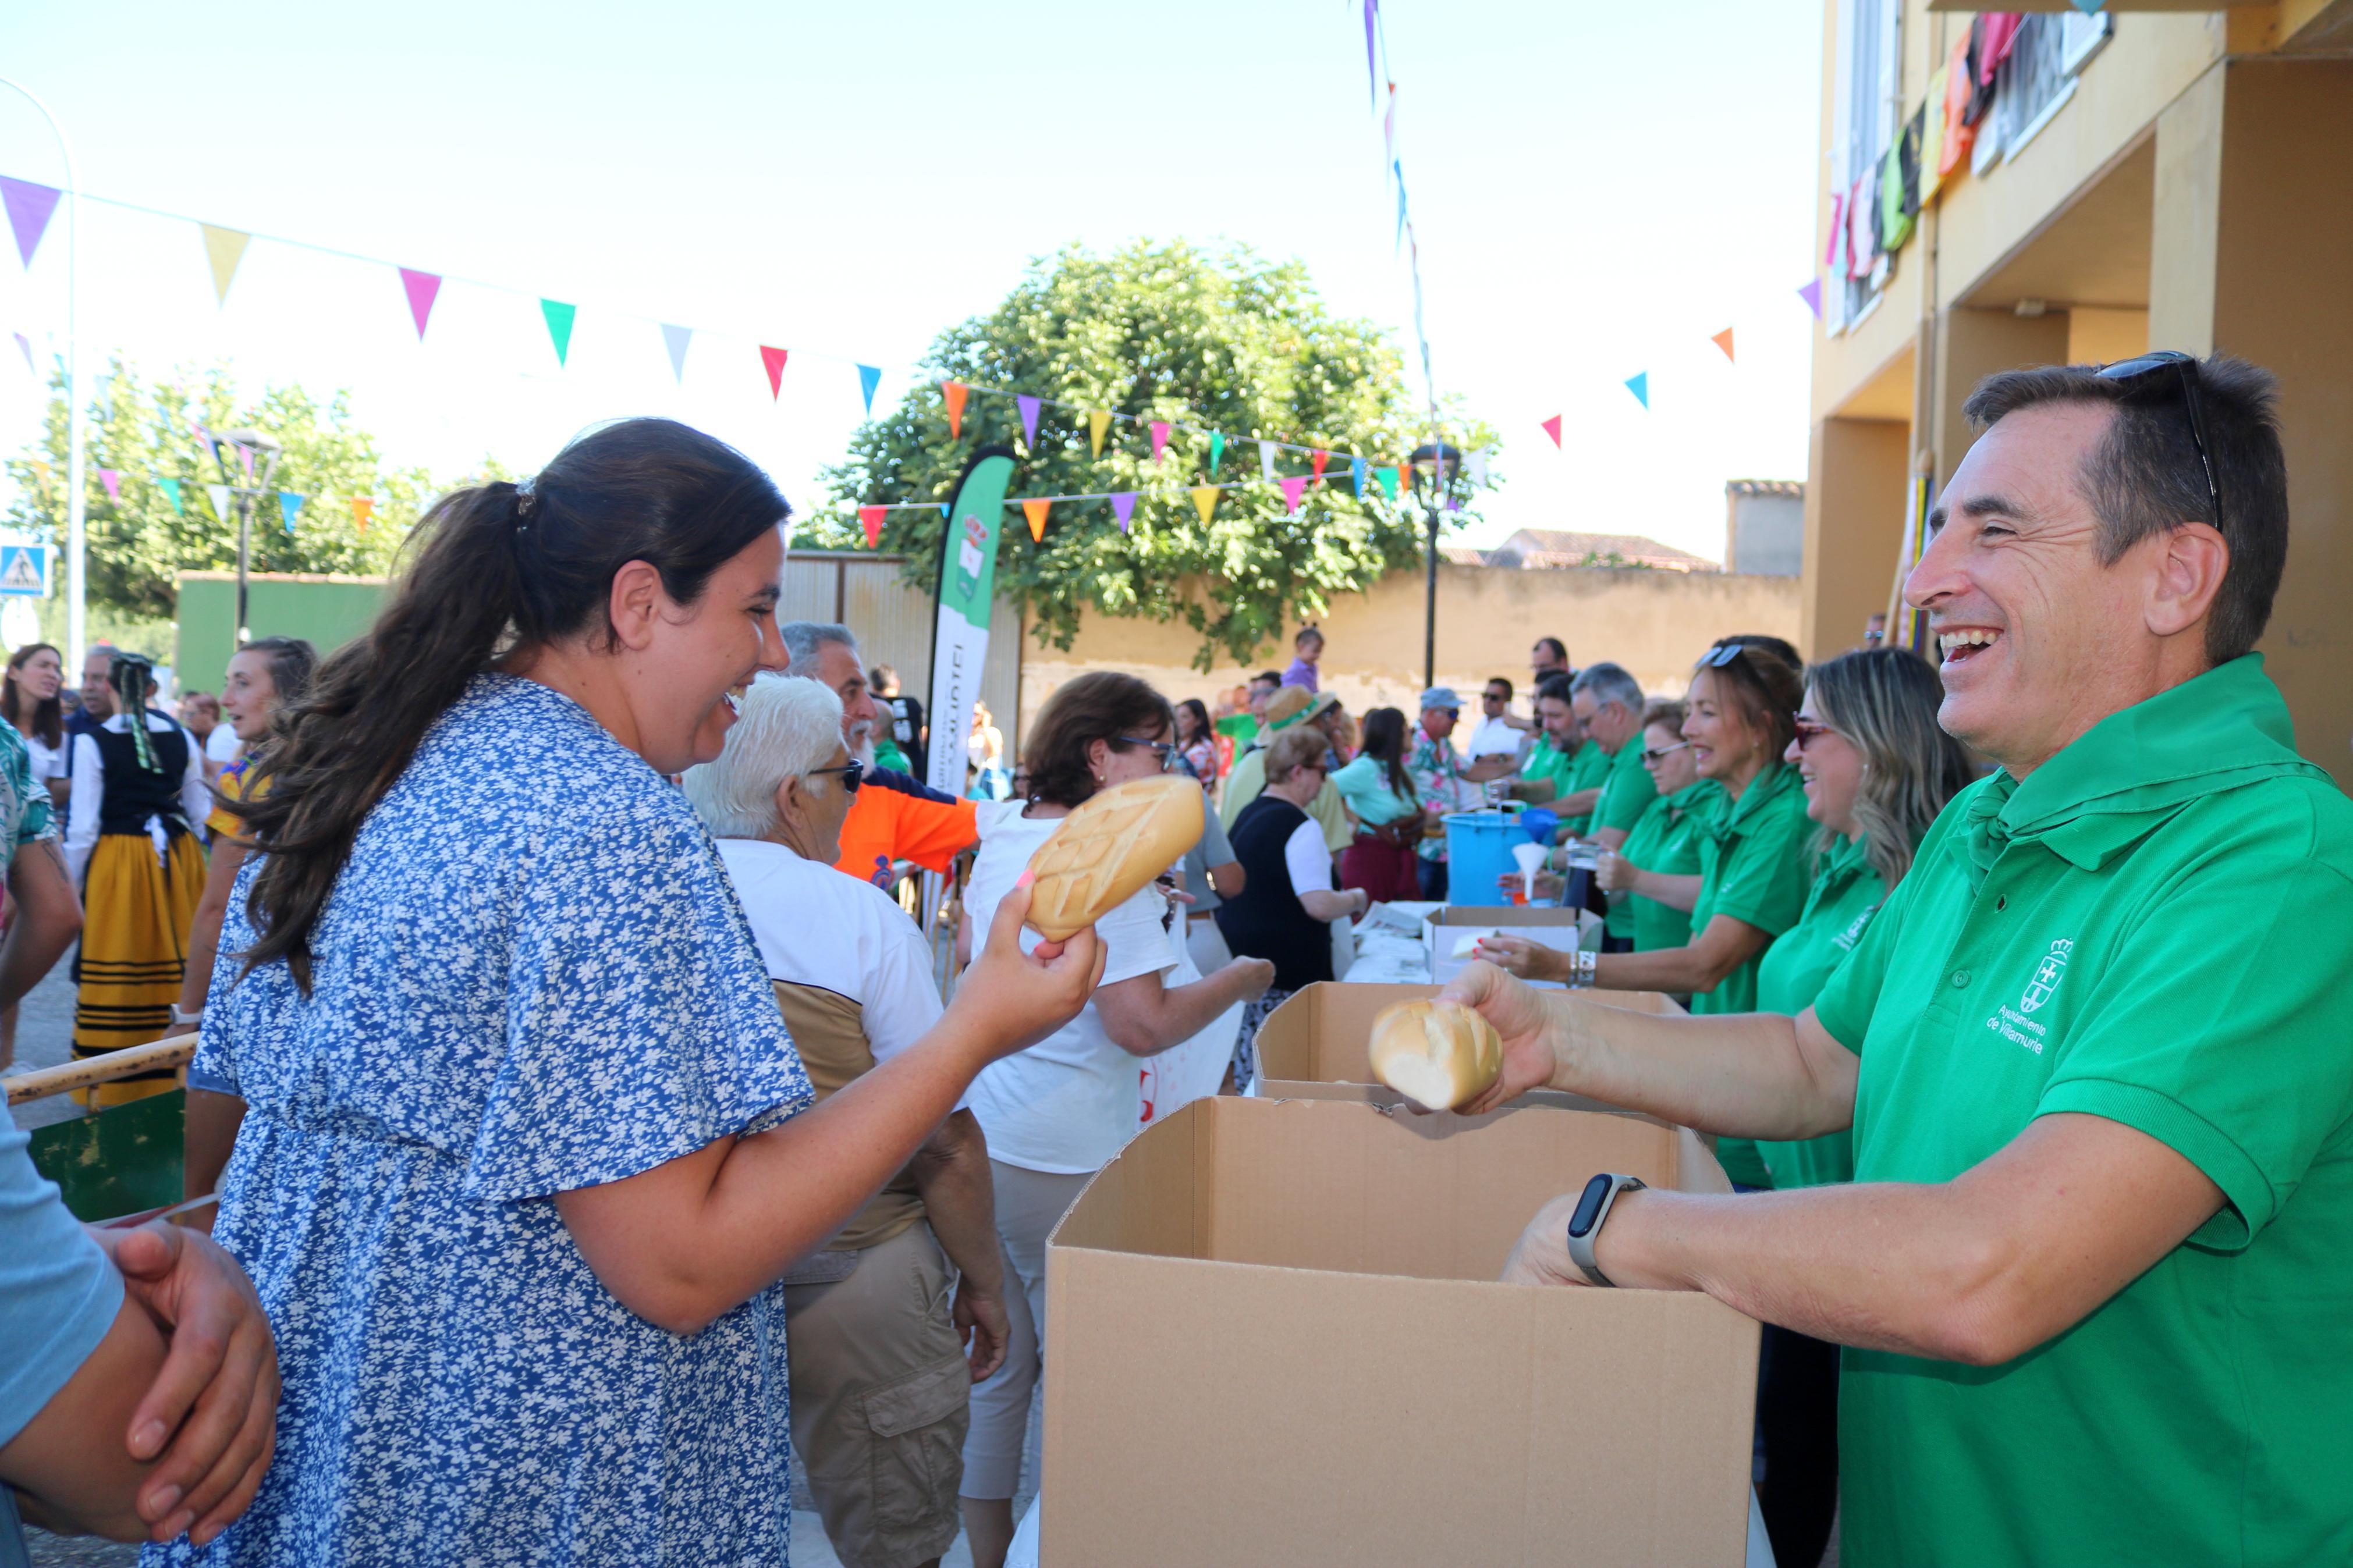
(140, 540)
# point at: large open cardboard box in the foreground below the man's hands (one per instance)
(1279, 1339)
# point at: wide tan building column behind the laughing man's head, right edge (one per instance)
(2251, 257)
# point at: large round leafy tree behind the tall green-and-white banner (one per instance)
(1218, 342)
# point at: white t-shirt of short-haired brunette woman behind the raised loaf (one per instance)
(1067, 1104)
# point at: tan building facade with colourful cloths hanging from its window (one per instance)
(2060, 187)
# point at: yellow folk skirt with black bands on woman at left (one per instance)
(135, 953)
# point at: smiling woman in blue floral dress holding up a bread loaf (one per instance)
(519, 1148)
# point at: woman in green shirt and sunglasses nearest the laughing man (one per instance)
(1877, 772)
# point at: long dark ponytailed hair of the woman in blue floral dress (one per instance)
(498, 570)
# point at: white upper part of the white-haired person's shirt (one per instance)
(829, 930)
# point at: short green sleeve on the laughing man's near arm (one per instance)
(2225, 1031)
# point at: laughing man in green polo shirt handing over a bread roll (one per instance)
(2098, 1047)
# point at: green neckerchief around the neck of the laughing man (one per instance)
(2215, 732)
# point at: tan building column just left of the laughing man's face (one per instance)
(1853, 530)
